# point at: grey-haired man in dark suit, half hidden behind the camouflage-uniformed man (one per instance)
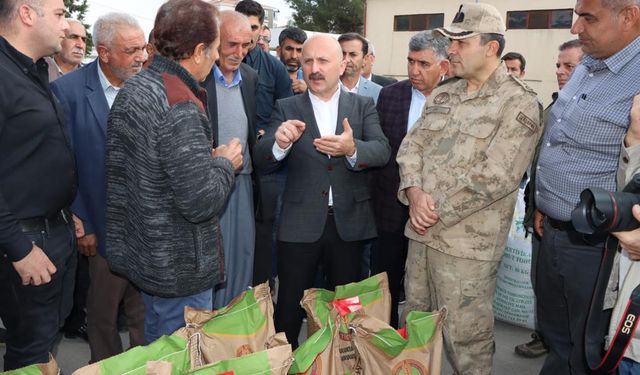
(399, 106)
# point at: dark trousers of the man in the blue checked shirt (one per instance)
(566, 273)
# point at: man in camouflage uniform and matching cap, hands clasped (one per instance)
(460, 167)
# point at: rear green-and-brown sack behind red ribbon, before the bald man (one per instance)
(370, 296)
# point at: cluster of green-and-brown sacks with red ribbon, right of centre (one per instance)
(355, 336)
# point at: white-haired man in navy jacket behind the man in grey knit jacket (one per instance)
(86, 95)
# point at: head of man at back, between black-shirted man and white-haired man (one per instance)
(74, 46)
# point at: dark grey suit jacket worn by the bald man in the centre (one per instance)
(311, 173)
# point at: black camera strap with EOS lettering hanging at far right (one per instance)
(598, 319)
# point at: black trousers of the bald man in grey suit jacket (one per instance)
(297, 266)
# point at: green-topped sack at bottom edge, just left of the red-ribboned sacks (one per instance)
(274, 361)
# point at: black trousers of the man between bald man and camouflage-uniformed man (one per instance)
(389, 254)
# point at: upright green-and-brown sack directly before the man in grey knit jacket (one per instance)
(240, 328)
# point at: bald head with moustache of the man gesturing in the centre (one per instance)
(322, 65)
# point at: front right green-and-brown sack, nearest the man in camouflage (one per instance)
(417, 349)
